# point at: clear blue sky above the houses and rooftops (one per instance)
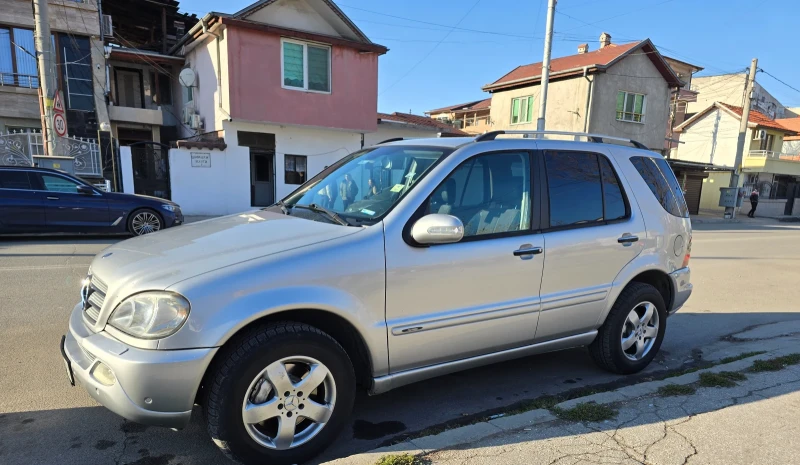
(433, 65)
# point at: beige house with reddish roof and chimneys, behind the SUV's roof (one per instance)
(619, 90)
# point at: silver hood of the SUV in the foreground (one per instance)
(159, 260)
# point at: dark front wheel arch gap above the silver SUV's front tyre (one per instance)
(341, 330)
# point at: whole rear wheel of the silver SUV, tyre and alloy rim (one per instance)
(608, 349)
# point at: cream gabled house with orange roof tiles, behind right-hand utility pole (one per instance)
(710, 137)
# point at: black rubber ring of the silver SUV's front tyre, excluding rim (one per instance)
(232, 430)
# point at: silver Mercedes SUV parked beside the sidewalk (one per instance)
(403, 261)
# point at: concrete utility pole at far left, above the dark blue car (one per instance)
(44, 54)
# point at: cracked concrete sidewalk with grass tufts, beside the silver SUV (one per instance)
(742, 409)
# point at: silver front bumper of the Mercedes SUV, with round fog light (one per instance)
(153, 387)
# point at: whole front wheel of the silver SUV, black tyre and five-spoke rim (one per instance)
(241, 379)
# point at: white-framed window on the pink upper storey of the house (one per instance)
(305, 66)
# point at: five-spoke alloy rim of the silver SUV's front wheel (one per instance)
(289, 402)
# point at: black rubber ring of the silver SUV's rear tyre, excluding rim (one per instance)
(619, 315)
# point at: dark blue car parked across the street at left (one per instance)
(40, 200)
